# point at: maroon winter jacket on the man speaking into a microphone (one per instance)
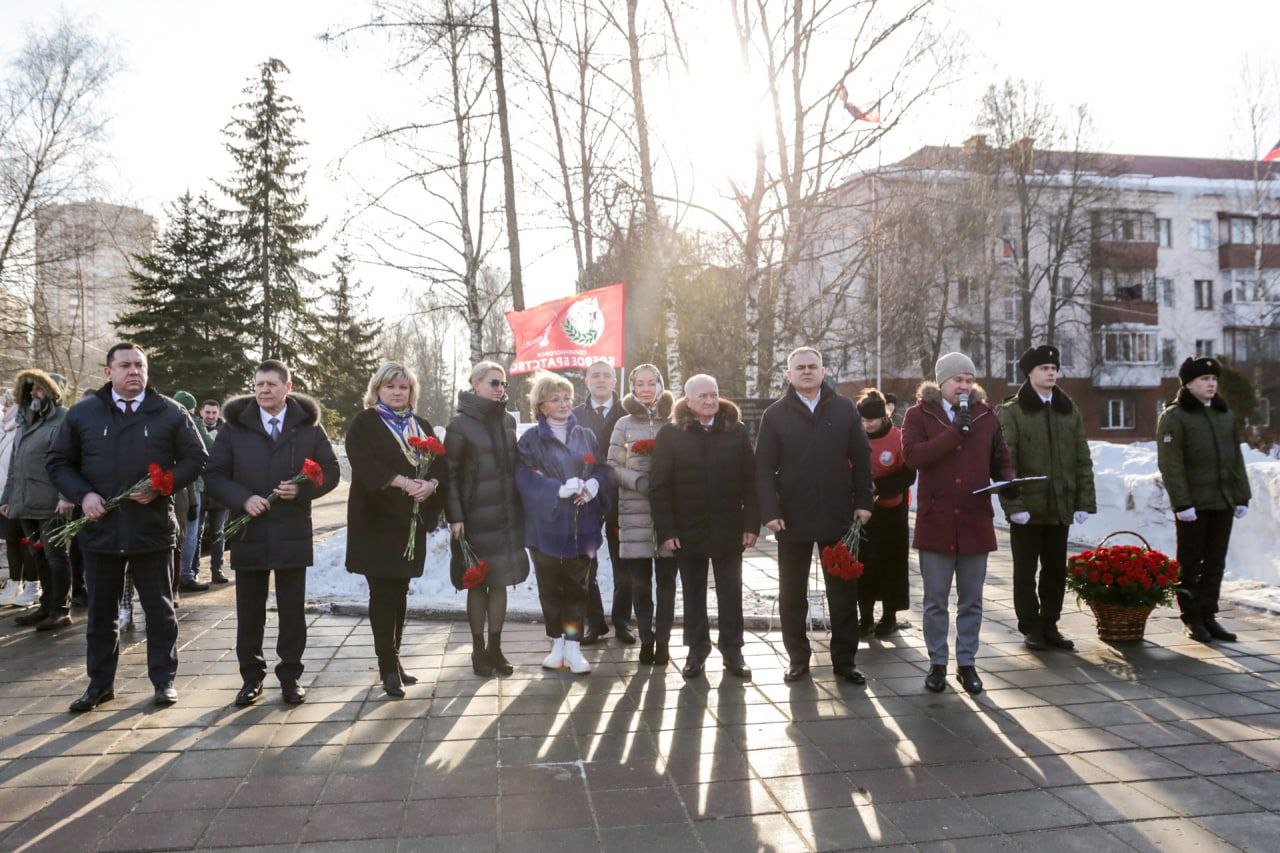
(950, 518)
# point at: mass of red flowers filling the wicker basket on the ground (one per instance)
(1124, 576)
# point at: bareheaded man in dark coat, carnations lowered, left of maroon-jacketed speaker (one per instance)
(815, 477)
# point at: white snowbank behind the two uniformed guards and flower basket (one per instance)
(1132, 498)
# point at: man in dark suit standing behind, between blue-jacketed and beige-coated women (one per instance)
(600, 413)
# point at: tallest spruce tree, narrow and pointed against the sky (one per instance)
(271, 223)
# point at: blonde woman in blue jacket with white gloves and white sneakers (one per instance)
(566, 491)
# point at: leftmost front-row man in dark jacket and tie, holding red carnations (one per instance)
(104, 449)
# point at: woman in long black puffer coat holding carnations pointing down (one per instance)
(483, 505)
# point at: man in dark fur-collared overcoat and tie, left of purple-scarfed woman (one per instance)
(267, 440)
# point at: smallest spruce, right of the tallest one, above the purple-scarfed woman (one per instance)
(346, 349)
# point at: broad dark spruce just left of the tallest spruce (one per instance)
(189, 305)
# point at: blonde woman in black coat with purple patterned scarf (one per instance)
(386, 492)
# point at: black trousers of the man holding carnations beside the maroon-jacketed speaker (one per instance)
(794, 563)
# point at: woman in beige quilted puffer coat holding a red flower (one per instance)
(648, 409)
